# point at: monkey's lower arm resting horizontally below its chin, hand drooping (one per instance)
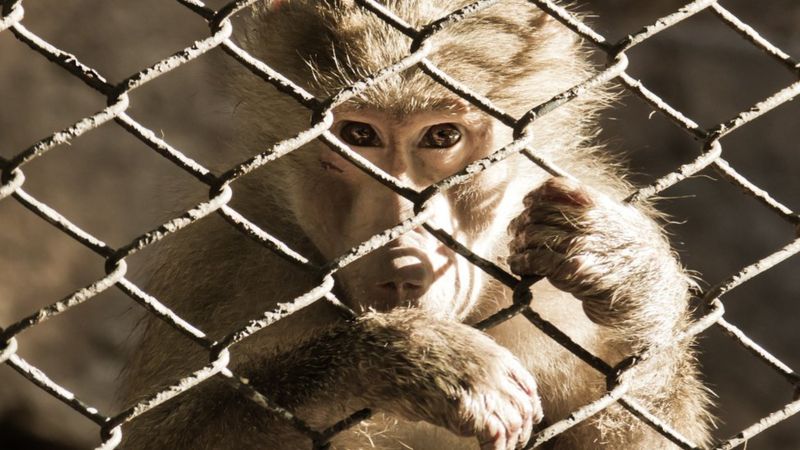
(402, 363)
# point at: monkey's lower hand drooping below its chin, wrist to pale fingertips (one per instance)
(454, 376)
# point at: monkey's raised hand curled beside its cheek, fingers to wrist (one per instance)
(608, 254)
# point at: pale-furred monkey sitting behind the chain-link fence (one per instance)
(611, 281)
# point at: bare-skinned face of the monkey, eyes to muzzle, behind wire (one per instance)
(343, 206)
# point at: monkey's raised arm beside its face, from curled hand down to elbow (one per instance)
(615, 259)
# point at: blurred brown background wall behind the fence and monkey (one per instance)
(106, 182)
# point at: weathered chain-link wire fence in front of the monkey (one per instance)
(112, 423)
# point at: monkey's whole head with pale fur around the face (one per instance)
(512, 54)
